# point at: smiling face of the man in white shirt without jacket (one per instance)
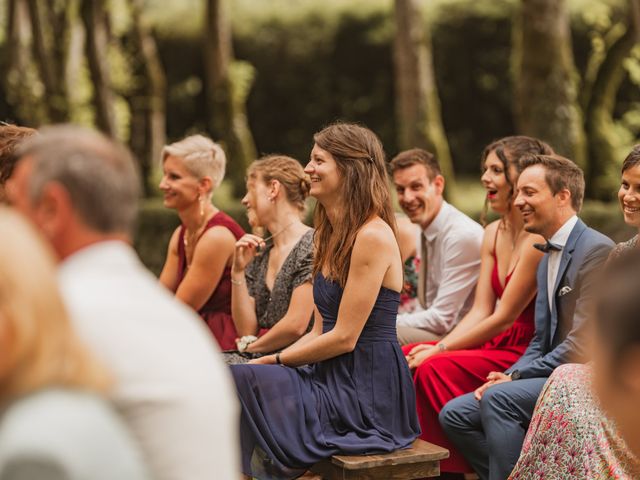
(419, 197)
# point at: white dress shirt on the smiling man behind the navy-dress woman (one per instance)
(454, 242)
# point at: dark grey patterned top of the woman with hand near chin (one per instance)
(272, 305)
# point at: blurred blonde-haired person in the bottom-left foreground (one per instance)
(54, 422)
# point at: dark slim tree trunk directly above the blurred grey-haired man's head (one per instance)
(95, 21)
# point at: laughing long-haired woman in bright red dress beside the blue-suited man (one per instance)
(500, 325)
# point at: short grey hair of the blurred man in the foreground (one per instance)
(100, 175)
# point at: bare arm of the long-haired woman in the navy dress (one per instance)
(373, 253)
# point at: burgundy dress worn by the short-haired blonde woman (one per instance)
(216, 312)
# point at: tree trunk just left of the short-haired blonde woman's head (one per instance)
(148, 100)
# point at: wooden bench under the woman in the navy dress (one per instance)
(419, 461)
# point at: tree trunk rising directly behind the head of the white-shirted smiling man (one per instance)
(417, 101)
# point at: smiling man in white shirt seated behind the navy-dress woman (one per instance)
(448, 248)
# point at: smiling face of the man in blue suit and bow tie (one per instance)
(541, 209)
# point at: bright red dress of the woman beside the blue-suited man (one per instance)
(448, 375)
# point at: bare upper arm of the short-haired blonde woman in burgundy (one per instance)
(212, 254)
